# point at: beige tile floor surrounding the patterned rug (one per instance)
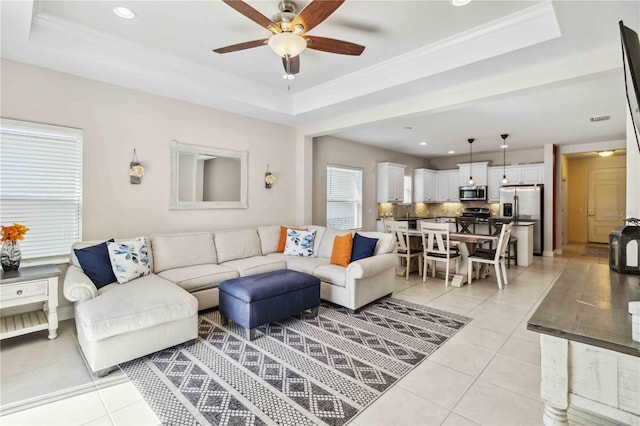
(488, 373)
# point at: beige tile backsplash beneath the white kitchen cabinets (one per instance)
(386, 210)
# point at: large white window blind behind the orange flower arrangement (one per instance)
(41, 185)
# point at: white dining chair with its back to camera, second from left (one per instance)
(436, 245)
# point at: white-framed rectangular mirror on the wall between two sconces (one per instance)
(203, 177)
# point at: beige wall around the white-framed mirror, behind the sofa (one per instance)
(116, 120)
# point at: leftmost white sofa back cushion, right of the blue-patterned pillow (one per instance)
(181, 250)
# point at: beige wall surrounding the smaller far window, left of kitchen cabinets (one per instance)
(330, 150)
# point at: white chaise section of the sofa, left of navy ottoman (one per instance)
(127, 321)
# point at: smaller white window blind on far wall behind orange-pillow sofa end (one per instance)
(344, 197)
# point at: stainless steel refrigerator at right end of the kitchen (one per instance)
(524, 203)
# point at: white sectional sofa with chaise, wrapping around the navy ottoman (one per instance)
(120, 322)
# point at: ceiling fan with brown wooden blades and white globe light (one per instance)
(289, 32)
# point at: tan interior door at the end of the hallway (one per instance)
(606, 202)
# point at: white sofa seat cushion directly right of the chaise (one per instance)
(199, 277)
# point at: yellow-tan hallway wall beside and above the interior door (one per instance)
(576, 187)
